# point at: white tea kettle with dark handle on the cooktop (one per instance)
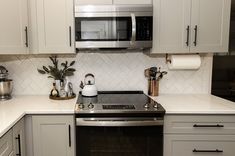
(89, 89)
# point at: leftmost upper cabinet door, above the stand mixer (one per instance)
(13, 26)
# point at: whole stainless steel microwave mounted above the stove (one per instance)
(113, 26)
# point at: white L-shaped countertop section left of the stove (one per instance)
(13, 110)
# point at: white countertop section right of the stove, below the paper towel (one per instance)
(195, 104)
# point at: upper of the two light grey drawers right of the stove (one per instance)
(199, 124)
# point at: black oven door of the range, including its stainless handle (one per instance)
(119, 137)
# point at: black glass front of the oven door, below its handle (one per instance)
(119, 141)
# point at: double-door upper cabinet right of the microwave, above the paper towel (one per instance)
(196, 26)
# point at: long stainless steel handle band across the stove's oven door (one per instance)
(115, 122)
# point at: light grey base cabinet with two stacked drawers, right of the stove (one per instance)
(199, 135)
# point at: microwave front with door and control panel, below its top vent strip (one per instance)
(113, 30)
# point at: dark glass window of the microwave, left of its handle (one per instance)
(103, 29)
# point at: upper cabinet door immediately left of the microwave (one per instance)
(55, 21)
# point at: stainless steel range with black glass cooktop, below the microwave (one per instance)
(119, 123)
